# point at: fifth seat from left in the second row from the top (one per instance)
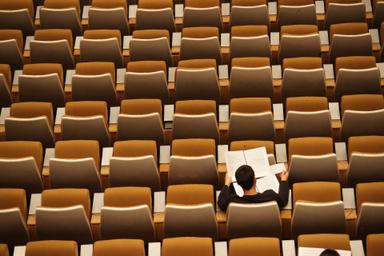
(200, 43)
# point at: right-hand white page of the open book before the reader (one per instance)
(257, 158)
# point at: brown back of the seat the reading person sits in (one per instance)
(253, 220)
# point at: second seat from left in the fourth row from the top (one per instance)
(86, 120)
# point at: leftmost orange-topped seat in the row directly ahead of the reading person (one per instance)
(20, 165)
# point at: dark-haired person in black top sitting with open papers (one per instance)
(245, 177)
